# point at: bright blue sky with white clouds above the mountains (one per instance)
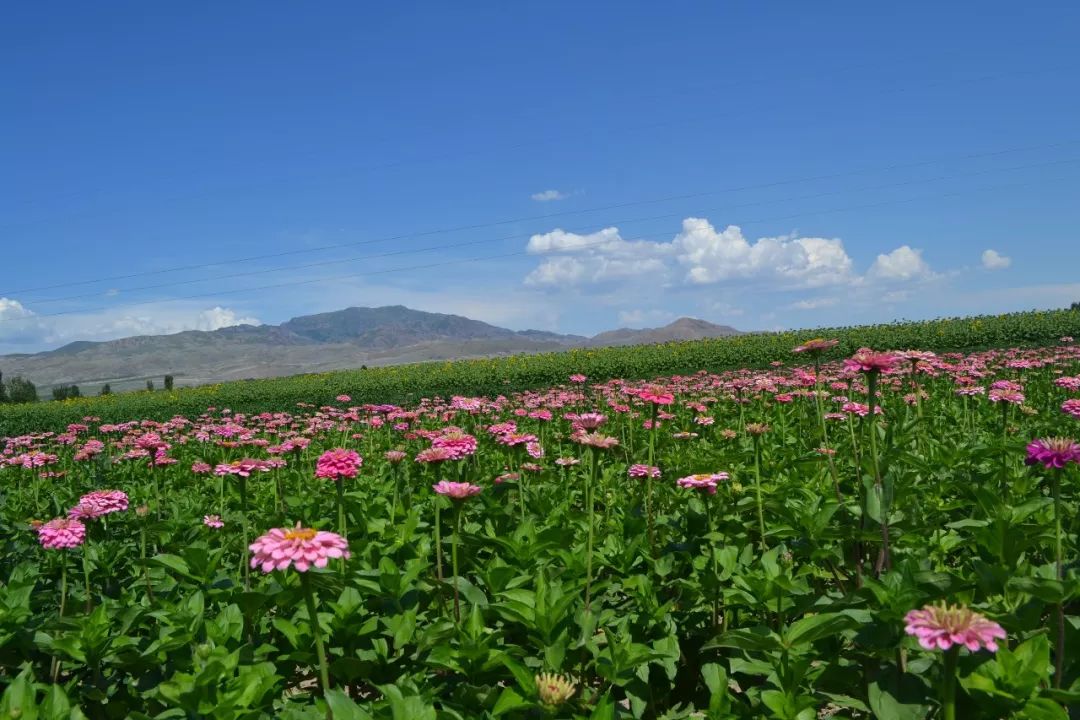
(566, 167)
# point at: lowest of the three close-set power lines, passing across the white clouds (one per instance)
(515, 254)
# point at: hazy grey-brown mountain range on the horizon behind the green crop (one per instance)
(336, 341)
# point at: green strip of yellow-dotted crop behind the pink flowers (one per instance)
(409, 384)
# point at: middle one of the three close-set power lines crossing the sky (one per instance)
(470, 243)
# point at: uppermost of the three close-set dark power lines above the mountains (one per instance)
(549, 216)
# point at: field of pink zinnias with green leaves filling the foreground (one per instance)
(876, 535)
